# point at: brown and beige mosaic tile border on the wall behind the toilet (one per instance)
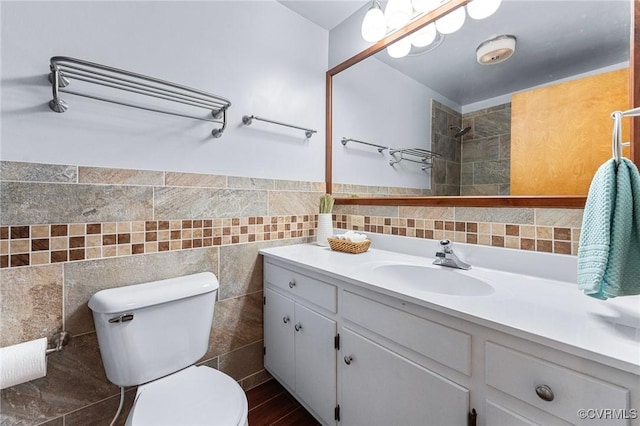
(28, 245)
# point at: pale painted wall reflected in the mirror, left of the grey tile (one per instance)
(375, 103)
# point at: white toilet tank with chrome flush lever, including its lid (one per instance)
(147, 331)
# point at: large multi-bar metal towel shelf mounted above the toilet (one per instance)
(64, 70)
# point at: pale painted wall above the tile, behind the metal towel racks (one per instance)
(263, 57)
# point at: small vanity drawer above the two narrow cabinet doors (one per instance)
(317, 292)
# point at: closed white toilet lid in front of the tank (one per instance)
(195, 396)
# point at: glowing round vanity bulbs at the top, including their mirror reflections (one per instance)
(376, 25)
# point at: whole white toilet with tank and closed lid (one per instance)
(150, 335)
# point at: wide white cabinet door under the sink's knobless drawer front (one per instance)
(379, 387)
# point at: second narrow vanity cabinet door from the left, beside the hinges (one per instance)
(316, 361)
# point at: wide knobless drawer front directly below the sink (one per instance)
(445, 345)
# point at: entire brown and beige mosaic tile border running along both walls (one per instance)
(27, 245)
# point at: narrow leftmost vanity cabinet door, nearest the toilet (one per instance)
(278, 337)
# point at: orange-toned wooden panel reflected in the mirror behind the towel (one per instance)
(564, 130)
